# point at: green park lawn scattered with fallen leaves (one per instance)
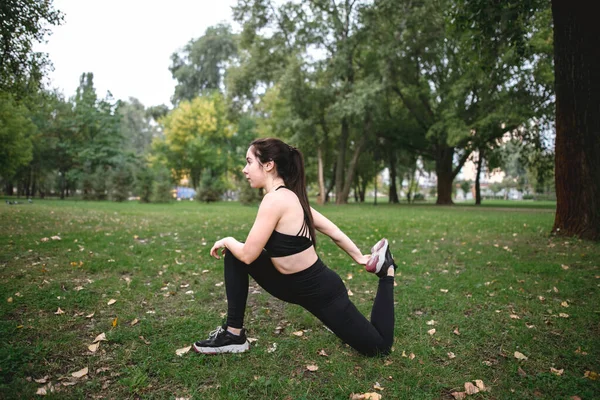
(491, 282)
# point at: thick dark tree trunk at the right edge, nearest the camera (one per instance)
(577, 157)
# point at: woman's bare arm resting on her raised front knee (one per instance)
(269, 213)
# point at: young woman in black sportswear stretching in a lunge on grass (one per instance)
(279, 254)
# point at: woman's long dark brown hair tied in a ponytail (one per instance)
(290, 167)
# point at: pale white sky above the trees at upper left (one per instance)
(127, 44)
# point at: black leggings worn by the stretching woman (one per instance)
(322, 292)
